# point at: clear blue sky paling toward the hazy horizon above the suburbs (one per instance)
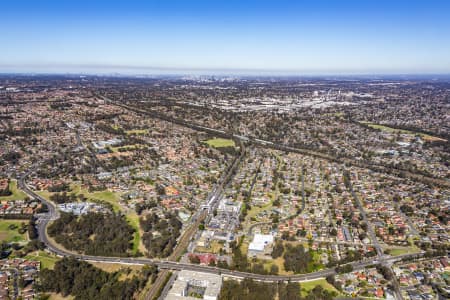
(301, 37)
